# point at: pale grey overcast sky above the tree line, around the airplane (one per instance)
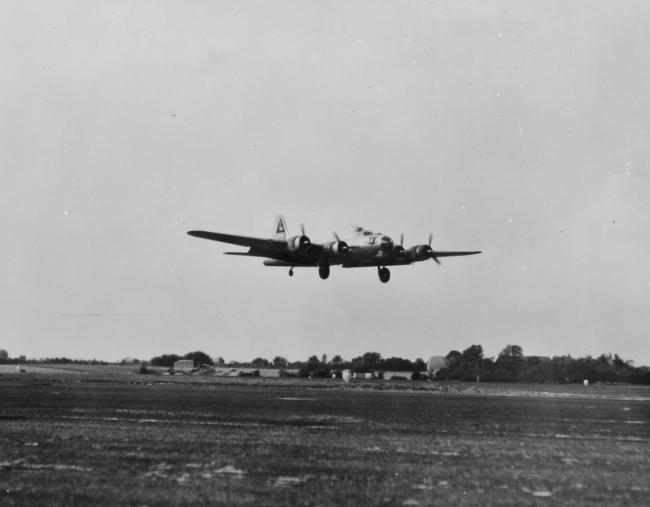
(517, 128)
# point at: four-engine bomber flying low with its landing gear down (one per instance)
(364, 249)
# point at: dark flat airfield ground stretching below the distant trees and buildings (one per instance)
(149, 440)
